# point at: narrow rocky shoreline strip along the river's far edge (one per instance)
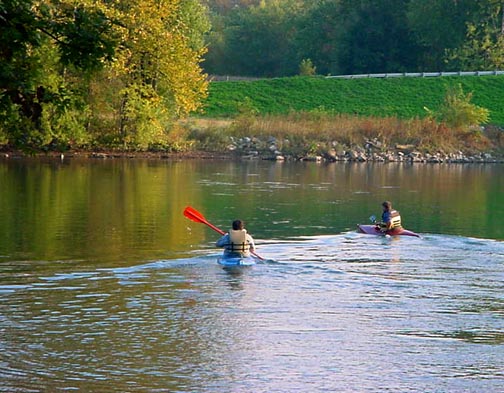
(252, 148)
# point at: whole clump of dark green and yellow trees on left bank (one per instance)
(76, 71)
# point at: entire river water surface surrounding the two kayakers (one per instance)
(106, 287)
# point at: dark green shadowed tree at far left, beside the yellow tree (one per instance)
(33, 93)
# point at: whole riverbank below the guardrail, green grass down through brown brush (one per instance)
(308, 116)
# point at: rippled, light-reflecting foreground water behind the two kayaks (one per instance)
(330, 313)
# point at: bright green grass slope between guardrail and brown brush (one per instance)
(402, 97)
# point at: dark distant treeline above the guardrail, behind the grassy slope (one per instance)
(276, 37)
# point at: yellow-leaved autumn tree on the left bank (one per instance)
(156, 73)
